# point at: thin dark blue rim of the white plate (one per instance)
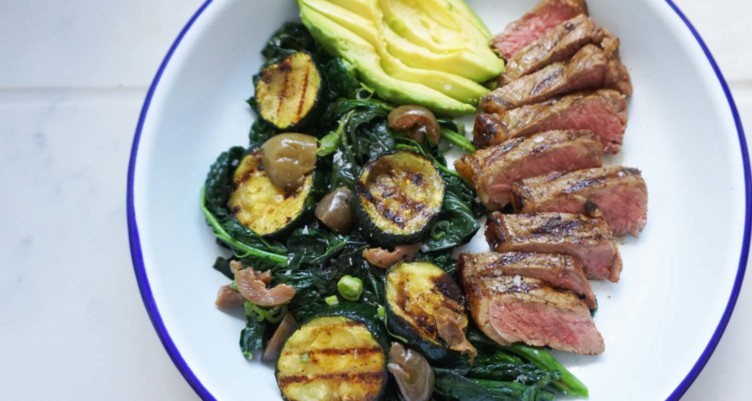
(172, 350)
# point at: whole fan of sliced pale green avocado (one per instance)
(406, 54)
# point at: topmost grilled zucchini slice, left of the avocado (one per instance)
(288, 91)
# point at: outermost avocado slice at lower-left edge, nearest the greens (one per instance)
(361, 54)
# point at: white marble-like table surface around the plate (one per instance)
(73, 75)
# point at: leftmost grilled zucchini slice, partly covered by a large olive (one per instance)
(263, 207)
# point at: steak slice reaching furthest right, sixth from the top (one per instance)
(618, 193)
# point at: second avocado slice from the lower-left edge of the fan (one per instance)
(458, 87)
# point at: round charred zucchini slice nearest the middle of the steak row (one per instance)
(398, 195)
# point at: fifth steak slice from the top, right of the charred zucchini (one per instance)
(493, 170)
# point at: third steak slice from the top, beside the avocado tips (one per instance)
(590, 68)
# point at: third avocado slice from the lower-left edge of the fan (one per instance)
(459, 60)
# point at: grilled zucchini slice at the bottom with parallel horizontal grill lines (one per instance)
(332, 358)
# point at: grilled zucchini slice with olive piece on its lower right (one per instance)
(418, 295)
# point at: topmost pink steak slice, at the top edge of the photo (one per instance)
(546, 15)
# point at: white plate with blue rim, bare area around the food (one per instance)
(680, 279)
